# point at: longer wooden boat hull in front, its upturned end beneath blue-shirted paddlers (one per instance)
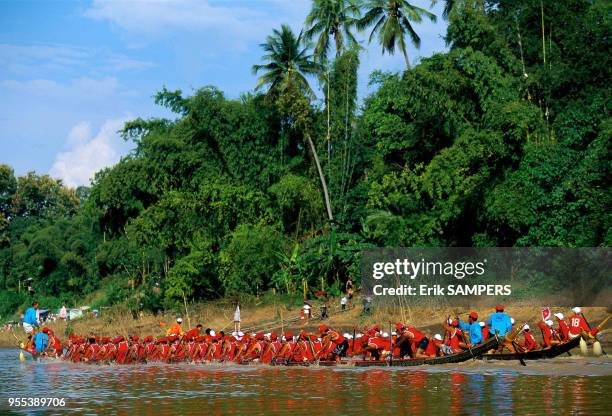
(459, 357)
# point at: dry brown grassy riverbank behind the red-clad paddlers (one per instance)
(274, 317)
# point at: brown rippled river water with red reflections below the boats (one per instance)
(564, 385)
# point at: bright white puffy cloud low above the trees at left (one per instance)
(86, 154)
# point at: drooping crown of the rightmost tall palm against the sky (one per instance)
(392, 20)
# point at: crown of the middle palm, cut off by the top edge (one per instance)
(331, 18)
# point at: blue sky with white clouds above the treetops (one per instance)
(71, 72)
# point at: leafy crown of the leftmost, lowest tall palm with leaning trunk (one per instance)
(287, 60)
